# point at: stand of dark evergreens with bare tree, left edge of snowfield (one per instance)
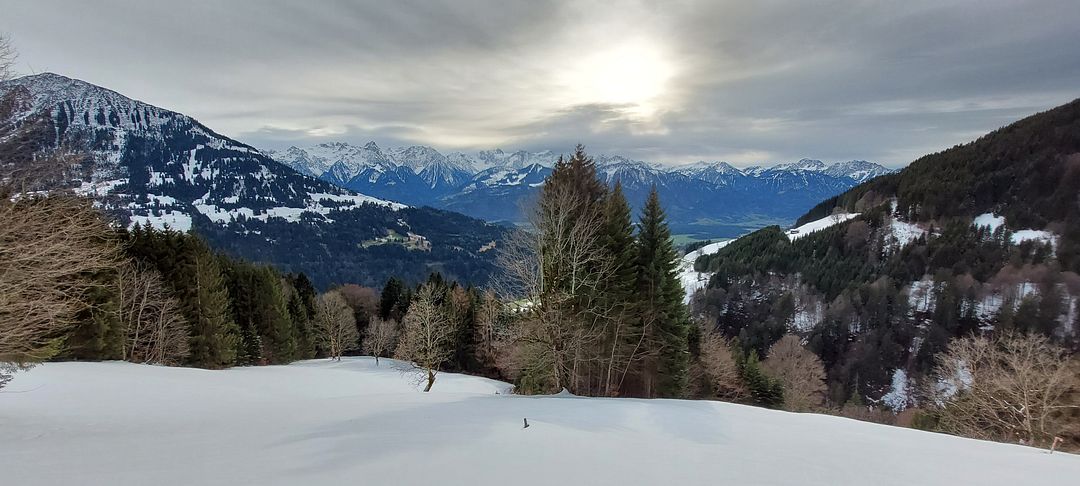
(215, 312)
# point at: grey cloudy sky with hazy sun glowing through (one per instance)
(677, 82)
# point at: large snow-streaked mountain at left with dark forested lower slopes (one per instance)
(159, 168)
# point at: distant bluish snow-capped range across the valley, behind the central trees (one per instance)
(705, 200)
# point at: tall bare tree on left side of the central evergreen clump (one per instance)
(551, 272)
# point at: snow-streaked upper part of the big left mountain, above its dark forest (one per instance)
(158, 167)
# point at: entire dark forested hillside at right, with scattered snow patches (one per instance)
(980, 238)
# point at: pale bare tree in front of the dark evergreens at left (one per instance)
(155, 330)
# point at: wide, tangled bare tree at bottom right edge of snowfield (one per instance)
(1011, 388)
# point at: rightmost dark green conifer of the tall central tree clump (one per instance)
(660, 303)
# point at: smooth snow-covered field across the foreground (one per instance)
(349, 423)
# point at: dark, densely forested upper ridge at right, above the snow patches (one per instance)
(1028, 172)
